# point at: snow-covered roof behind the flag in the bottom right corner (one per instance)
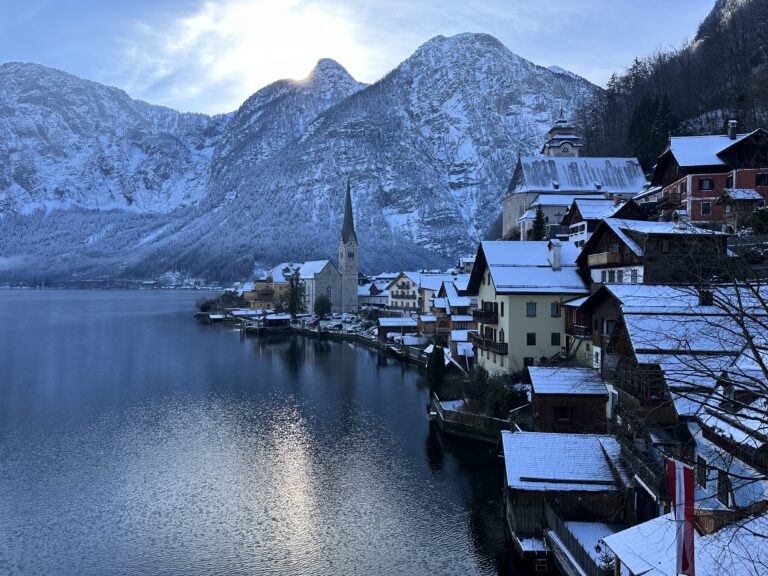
(649, 548)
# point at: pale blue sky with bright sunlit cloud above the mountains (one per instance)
(210, 55)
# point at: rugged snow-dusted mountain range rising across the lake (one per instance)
(138, 190)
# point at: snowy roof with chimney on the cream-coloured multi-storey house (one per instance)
(524, 268)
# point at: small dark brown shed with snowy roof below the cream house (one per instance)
(568, 400)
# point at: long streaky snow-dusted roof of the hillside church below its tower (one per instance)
(581, 174)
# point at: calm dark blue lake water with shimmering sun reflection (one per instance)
(135, 441)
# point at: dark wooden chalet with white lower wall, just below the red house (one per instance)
(624, 251)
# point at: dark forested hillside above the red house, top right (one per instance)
(721, 73)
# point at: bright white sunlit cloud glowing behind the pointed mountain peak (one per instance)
(214, 58)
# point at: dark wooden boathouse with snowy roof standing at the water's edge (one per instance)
(550, 478)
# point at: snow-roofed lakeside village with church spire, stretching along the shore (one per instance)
(621, 324)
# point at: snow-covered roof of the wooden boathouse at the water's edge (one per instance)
(573, 462)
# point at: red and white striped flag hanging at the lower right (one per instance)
(681, 487)
